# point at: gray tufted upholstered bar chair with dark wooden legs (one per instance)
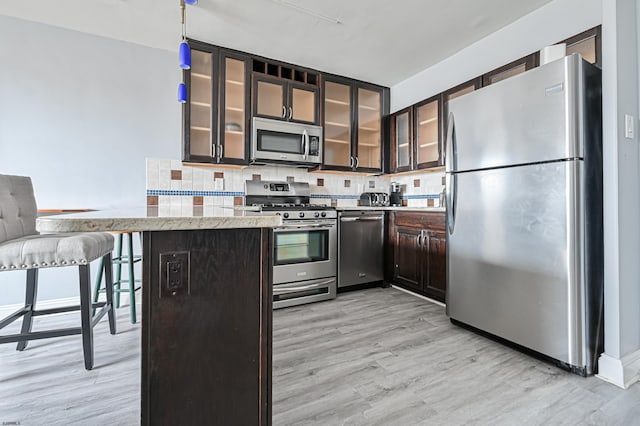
(22, 248)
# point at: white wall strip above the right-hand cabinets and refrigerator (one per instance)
(550, 24)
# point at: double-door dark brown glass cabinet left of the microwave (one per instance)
(218, 86)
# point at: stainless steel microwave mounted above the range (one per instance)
(275, 141)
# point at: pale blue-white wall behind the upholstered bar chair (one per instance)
(79, 114)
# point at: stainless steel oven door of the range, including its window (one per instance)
(304, 251)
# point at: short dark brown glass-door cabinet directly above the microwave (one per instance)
(285, 93)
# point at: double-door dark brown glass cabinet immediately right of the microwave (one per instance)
(353, 114)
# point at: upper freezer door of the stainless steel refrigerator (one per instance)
(532, 117)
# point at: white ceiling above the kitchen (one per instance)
(379, 41)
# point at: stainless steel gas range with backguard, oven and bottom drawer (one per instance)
(304, 258)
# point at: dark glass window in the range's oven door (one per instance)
(301, 247)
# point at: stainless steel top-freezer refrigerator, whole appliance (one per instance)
(524, 212)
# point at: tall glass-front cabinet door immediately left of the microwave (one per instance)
(234, 132)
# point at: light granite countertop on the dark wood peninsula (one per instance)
(155, 219)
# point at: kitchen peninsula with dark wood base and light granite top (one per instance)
(206, 321)
